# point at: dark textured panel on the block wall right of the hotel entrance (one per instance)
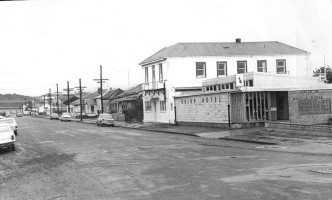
(314, 105)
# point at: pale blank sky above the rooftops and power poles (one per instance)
(45, 42)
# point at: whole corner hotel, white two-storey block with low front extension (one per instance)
(233, 83)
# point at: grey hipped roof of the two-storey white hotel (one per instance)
(224, 49)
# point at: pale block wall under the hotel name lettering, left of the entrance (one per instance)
(207, 108)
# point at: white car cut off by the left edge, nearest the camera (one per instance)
(7, 137)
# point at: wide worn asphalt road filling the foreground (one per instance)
(67, 160)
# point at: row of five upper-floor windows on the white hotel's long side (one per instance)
(241, 67)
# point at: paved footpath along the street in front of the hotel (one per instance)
(259, 137)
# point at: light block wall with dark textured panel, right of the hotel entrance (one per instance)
(310, 106)
